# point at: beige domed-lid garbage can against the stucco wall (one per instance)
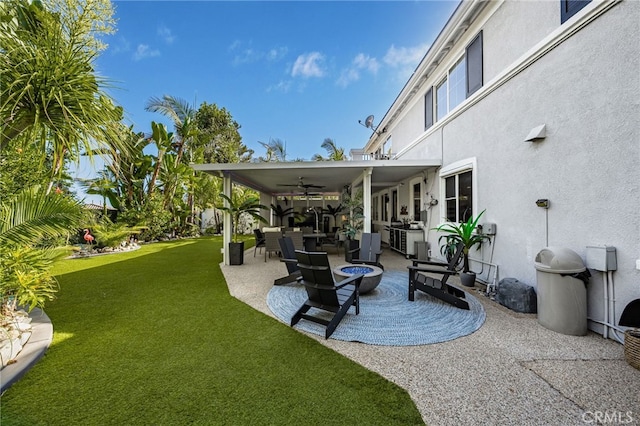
(562, 291)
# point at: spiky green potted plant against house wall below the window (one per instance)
(462, 233)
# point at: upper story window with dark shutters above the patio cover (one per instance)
(461, 81)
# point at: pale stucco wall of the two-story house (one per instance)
(586, 90)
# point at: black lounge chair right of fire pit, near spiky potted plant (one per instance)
(439, 288)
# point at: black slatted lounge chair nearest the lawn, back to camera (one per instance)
(323, 292)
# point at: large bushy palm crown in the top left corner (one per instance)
(50, 95)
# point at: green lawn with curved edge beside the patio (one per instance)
(152, 337)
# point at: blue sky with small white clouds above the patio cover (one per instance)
(297, 71)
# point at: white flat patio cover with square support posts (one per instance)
(267, 178)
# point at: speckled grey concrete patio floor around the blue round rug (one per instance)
(511, 371)
